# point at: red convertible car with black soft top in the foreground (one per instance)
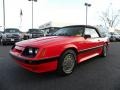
(61, 51)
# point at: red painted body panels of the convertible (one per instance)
(54, 46)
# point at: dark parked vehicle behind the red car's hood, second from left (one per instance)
(33, 33)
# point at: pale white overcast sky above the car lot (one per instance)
(63, 11)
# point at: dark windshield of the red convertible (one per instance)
(69, 31)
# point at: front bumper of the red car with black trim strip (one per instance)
(38, 66)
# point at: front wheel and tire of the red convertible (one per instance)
(67, 62)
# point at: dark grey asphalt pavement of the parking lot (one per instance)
(95, 74)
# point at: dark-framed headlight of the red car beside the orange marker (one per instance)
(30, 52)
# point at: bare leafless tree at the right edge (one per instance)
(110, 18)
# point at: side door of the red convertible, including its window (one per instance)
(91, 45)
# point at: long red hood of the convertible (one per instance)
(46, 41)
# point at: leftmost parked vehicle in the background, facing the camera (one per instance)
(11, 35)
